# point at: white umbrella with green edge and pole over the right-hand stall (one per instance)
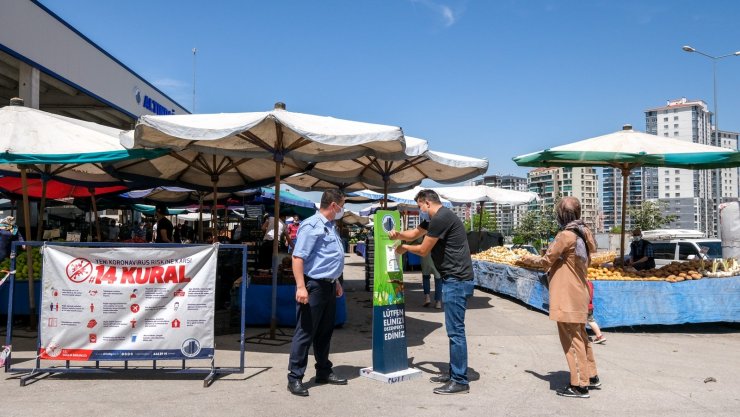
(628, 149)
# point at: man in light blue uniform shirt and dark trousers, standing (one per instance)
(318, 261)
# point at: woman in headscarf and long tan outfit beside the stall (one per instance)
(567, 261)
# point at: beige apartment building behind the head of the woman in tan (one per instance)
(554, 183)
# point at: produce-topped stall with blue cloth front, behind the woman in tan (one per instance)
(679, 293)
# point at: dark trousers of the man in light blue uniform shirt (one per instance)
(315, 325)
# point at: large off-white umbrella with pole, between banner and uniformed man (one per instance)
(275, 141)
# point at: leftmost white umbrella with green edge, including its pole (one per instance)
(56, 147)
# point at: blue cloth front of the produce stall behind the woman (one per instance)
(626, 303)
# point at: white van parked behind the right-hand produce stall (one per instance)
(681, 245)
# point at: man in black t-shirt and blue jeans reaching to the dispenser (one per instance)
(446, 240)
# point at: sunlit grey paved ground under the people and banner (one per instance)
(515, 359)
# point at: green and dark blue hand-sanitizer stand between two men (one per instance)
(389, 317)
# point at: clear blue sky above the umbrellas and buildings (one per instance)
(491, 79)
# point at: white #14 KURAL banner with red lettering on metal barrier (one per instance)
(128, 303)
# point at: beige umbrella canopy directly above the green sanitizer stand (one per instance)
(401, 171)
